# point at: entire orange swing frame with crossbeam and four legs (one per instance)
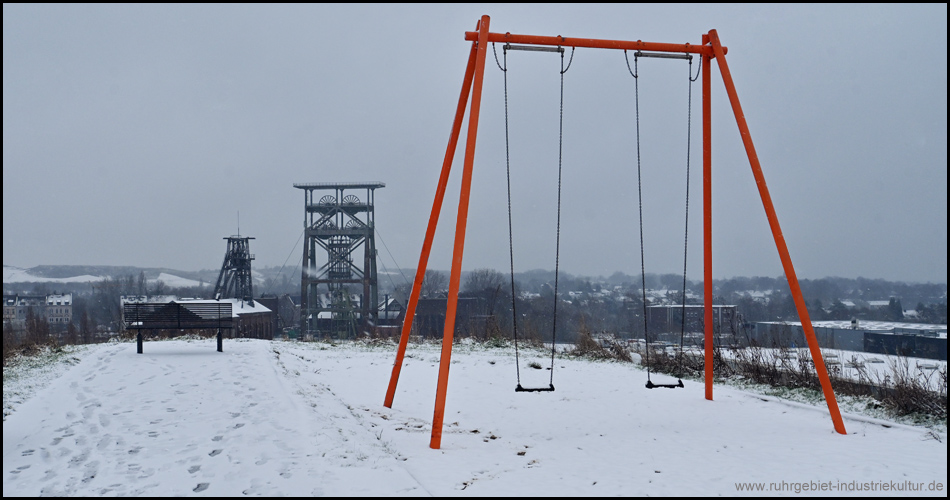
(710, 49)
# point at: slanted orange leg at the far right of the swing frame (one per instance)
(779, 239)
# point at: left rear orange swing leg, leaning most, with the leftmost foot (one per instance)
(430, 230)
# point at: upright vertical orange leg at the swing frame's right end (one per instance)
(707, 226)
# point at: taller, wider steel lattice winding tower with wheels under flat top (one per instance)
(338, 223)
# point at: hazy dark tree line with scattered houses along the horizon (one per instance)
(97, 307)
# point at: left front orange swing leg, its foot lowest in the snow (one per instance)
(449, 334)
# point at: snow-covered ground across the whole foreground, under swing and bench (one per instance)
(283, 418)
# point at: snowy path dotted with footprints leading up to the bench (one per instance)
(183, 418)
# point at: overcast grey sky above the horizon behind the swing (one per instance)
(134, 134)
